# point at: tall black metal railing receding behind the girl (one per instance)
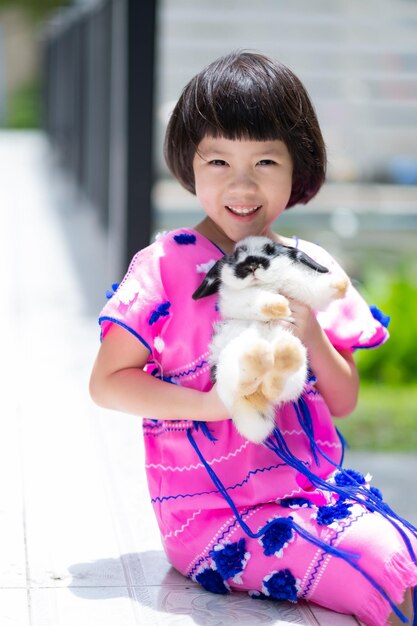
(98, 111)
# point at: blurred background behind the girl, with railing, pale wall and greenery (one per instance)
(95, 80)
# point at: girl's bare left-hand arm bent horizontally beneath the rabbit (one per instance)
(118, 382)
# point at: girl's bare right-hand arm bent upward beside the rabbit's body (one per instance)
(336, 372)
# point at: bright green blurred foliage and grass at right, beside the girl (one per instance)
(386, 416)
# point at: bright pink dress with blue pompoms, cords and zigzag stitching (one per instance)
(280, 520)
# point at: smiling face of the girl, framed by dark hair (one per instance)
(243, 186)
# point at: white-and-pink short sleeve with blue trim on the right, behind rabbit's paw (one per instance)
(349, 323)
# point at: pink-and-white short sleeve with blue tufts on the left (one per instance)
(139, 303)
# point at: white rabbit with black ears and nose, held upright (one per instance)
(256, 361)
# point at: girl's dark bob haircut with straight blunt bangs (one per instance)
(246, 95)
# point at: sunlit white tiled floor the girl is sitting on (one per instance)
(78, 541)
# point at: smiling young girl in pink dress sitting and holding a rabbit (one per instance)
(281, 520)
